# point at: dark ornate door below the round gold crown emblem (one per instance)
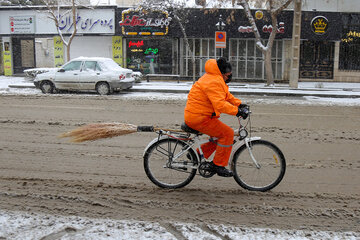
(317, 60)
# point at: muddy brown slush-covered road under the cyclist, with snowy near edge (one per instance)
(53, 189)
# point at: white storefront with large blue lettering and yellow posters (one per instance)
(30, 39)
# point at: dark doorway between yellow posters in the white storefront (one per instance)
(24, 54)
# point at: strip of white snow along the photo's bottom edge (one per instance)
(23, 226)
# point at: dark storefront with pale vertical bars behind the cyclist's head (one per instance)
(240, 49)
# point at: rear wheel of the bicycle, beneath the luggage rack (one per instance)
(166, 167)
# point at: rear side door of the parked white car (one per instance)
(90, 72)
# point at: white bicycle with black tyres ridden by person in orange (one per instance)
(171, 160)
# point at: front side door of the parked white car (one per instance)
(68, 76)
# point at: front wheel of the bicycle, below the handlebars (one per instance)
(260, 167)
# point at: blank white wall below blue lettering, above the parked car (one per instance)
(91, 46)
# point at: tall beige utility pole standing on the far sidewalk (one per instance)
(295, 50)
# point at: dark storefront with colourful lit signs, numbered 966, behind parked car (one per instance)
(149, 46)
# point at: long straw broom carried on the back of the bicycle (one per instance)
(97, 131)
